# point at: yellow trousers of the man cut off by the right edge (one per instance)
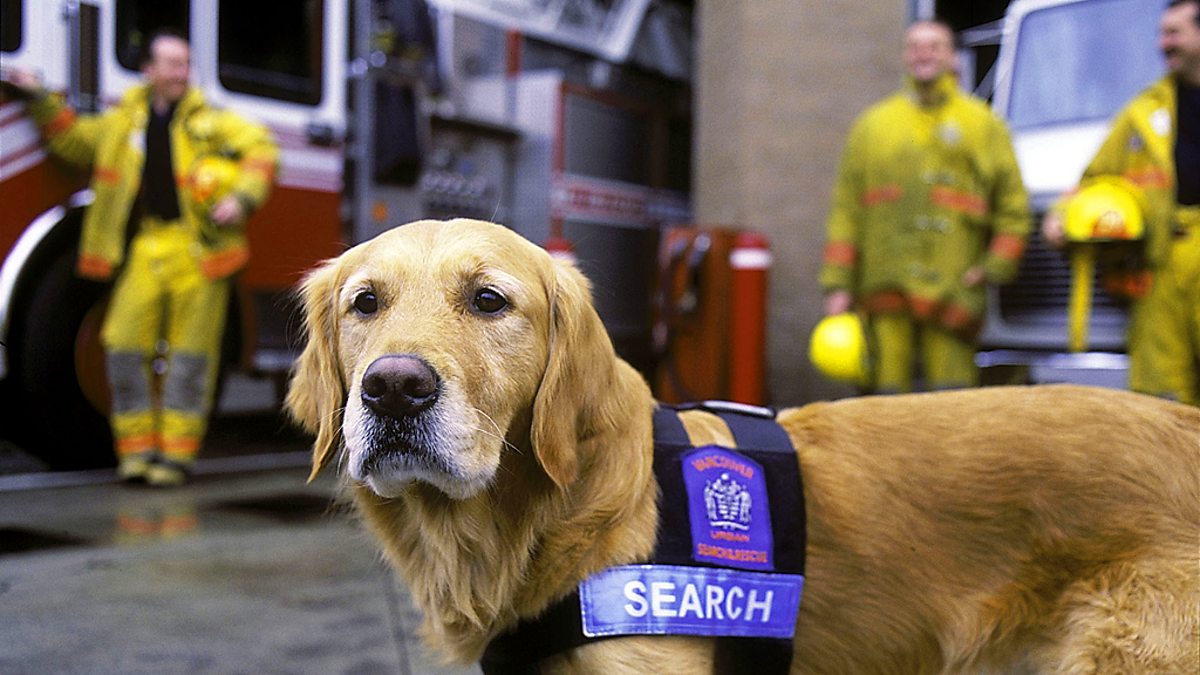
(1165, 327)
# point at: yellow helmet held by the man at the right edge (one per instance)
(1108, 210)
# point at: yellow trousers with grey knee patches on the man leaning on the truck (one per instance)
(163, 306)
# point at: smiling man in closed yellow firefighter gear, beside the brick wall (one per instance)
(928, 208)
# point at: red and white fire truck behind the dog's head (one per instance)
(386, 111)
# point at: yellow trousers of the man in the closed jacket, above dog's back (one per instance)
(949, 362)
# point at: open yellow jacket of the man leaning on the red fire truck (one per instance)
(112, 145)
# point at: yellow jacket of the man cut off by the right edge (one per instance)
(1141, 150)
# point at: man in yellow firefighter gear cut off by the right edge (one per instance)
(1155, 145)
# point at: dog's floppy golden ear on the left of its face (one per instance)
(317, 395)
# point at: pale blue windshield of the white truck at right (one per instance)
(1082, 62)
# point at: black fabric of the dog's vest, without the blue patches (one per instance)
(758, 437)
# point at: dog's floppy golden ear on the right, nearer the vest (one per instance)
(579, 375)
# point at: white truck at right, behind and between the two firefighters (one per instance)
(1065, 69)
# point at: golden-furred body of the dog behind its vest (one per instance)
(1055, 525)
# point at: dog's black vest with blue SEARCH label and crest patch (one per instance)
(719, 570)
